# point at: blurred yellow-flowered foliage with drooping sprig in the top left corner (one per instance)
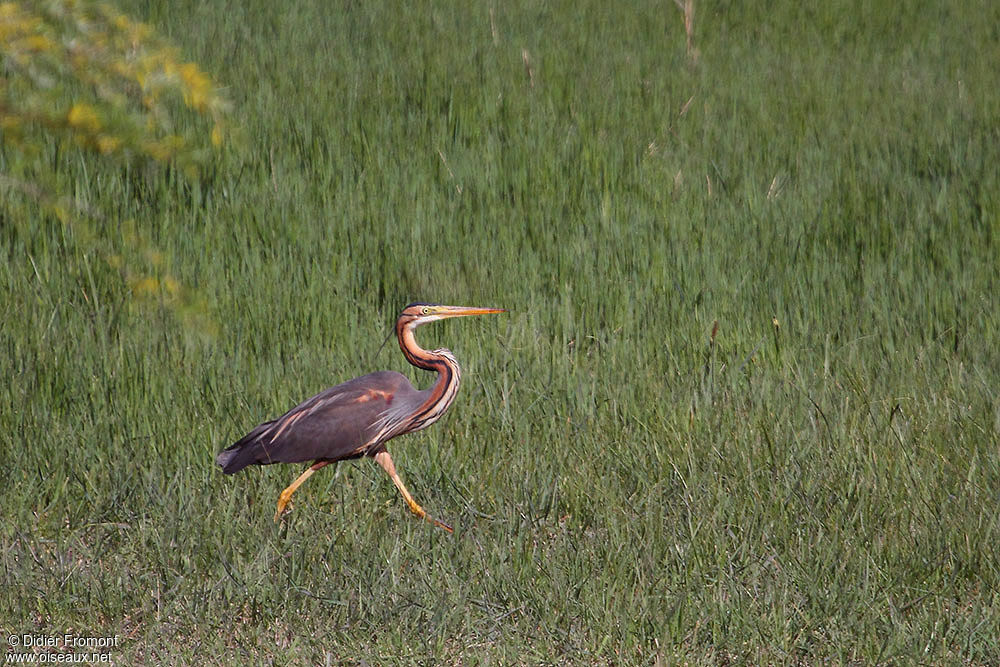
(80, 73)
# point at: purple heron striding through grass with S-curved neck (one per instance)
(358, 417)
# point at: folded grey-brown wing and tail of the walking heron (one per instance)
(339, 423)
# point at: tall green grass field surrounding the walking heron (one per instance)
(817, 480)
